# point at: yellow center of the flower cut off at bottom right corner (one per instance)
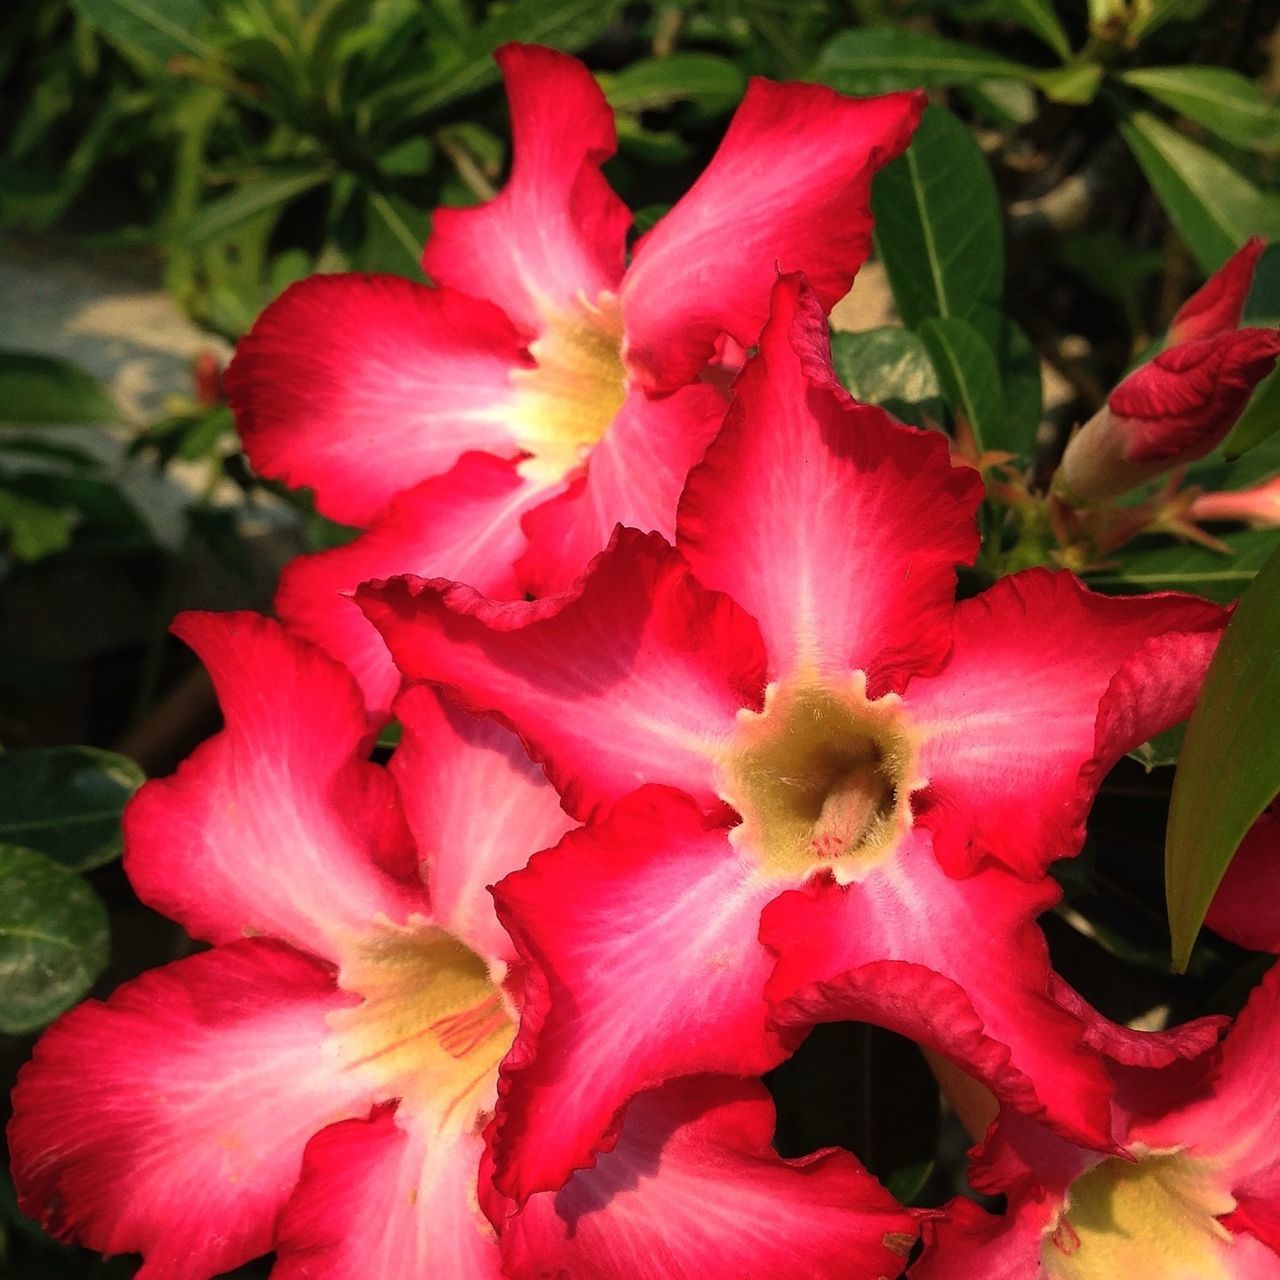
(1155, 1218)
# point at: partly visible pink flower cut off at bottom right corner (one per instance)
(1196, 1197)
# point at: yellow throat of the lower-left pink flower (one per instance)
(432, 1027)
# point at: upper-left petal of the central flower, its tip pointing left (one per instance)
(632, 678)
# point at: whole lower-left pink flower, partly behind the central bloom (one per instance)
(319, 1082)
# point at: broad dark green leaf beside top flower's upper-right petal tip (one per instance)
(938, 223)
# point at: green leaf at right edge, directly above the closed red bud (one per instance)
(1215, 208)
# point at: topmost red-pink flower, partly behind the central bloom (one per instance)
(496, 427)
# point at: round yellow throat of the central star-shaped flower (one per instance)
(822, 776)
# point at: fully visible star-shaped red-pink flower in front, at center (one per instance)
(826, 738)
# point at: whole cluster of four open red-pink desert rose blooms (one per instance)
(698, 751)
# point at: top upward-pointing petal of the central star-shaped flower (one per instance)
(835, 527)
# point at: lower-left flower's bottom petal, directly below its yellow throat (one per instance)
(386, 1200)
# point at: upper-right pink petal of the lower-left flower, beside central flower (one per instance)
(478, 807)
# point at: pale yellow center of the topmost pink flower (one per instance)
(575, 390)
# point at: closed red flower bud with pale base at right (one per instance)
(1182, 404)
